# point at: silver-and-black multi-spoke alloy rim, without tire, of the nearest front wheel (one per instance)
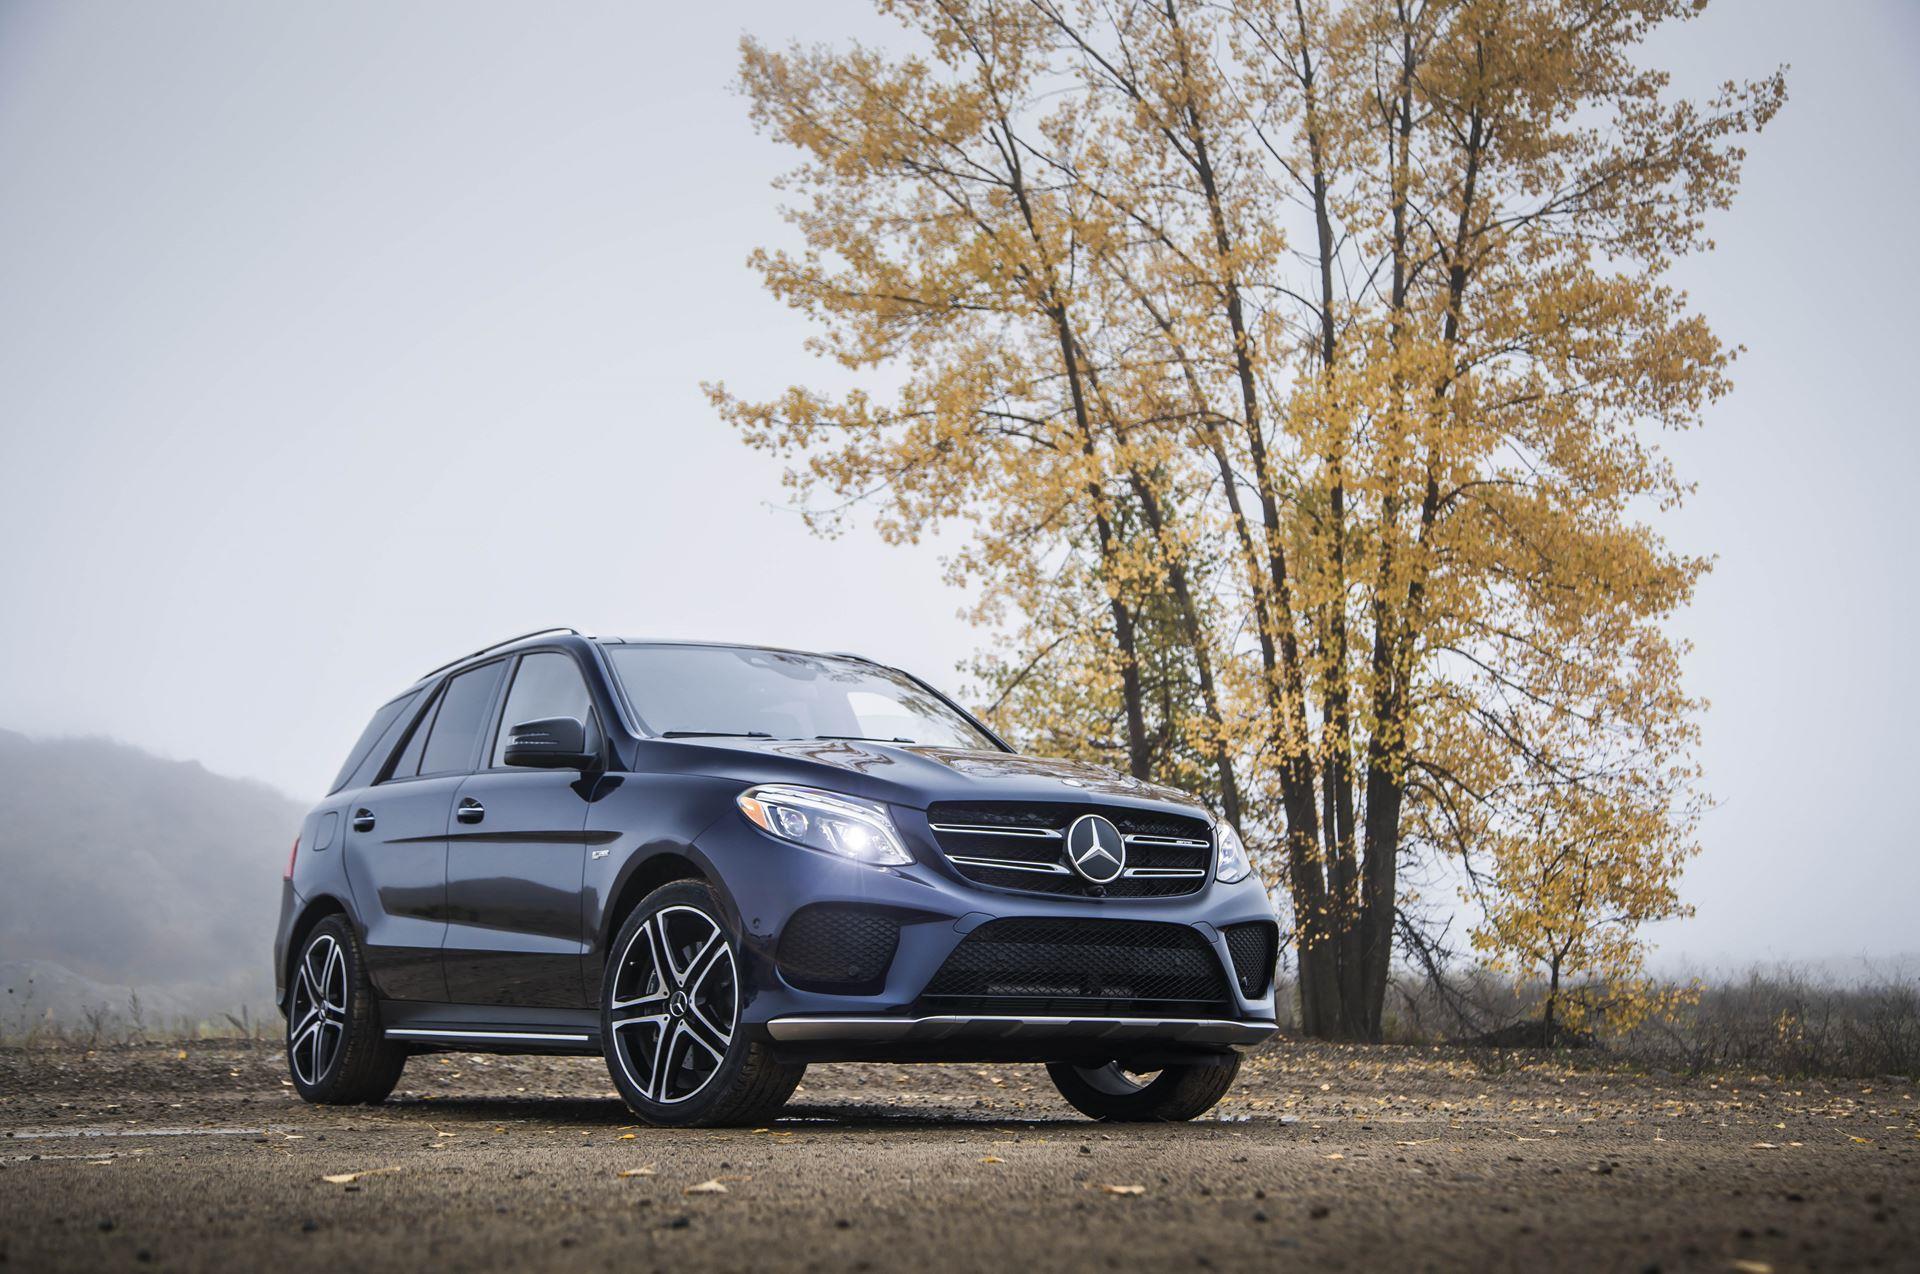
(675, 1004)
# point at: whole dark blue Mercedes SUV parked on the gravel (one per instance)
(715, 864)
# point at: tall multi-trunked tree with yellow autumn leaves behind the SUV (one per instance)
(1301, 369)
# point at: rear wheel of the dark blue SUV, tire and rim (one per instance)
(337, 1050)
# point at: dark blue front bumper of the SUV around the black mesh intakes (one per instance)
(769, 882)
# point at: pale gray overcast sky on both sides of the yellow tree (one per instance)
(341, 339)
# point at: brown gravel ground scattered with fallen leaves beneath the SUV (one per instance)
(1385, 1158)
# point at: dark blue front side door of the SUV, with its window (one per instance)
(517, 857)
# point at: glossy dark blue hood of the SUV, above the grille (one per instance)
(921, 774)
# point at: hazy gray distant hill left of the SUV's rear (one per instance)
(128, 872)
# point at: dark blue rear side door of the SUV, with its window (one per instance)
(396, 843)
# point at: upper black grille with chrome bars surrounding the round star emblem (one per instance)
(1022, 845)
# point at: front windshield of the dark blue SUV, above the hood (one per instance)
(686, 692)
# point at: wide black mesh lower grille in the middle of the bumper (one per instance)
(1076, 966)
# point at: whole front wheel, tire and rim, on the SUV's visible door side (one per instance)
(671, 1018)
